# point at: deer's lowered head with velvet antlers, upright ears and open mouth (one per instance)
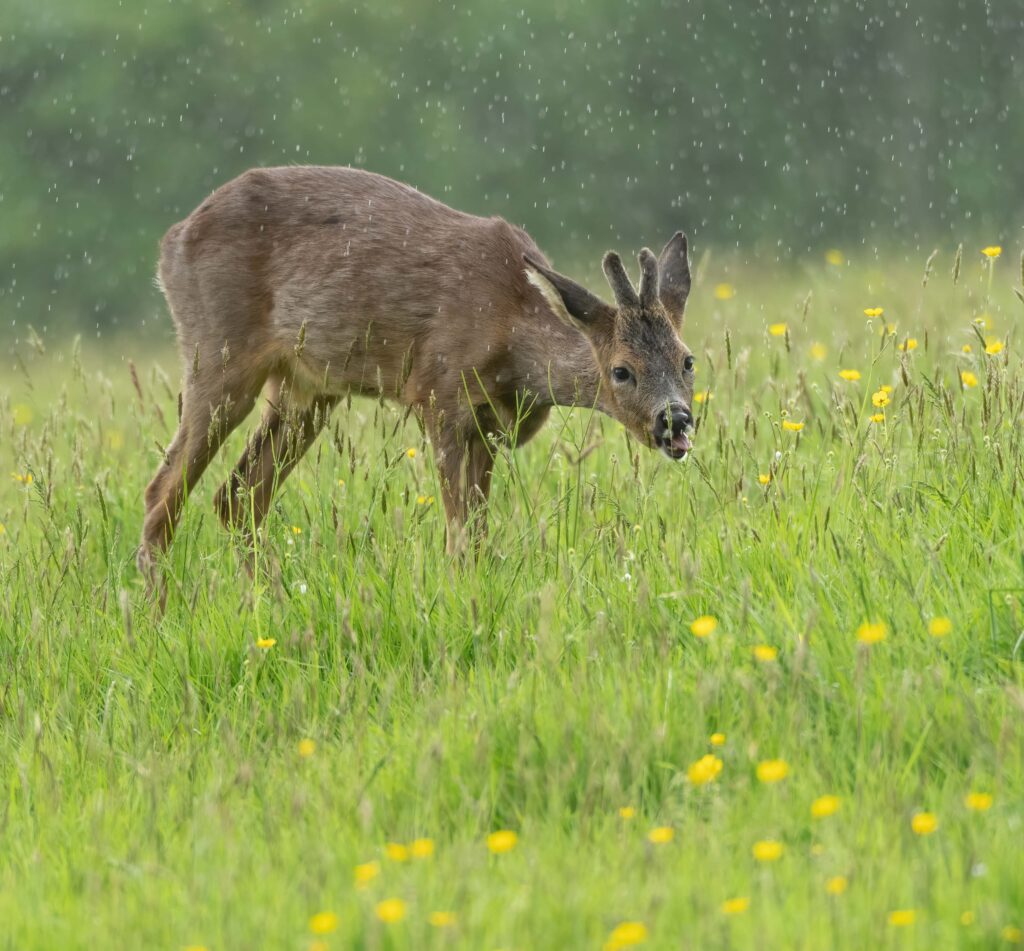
(646, 371)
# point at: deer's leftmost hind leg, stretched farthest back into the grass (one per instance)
(211, 409)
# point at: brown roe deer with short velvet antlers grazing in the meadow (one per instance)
(320, 282)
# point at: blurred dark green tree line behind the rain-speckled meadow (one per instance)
(772, 126)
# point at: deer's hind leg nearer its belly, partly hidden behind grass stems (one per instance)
(275, 451)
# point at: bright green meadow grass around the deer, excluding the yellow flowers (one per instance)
(153, 791)
